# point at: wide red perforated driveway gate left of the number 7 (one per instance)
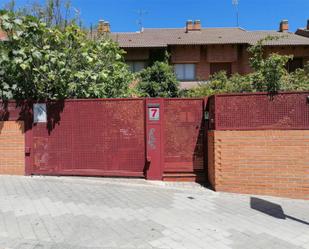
(91, 137)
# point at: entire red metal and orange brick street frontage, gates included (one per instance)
(256, 143)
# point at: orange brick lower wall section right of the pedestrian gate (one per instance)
(271, 162)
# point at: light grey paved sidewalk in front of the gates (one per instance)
(81, 213)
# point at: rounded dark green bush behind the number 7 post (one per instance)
(158, 80)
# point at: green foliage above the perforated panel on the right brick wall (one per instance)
(270, 75)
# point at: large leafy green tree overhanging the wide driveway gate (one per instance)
(40, 62)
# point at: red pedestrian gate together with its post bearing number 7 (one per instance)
(176, 139)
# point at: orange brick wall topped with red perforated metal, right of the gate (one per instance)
(259, 144)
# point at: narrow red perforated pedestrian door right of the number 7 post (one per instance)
(184, 134)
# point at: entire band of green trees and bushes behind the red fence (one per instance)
(56, 60)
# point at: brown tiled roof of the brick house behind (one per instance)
(163, 37)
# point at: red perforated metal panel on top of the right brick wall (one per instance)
(260, 111)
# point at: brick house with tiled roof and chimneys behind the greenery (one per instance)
(197, 52)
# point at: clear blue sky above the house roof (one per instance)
(123, 15)
